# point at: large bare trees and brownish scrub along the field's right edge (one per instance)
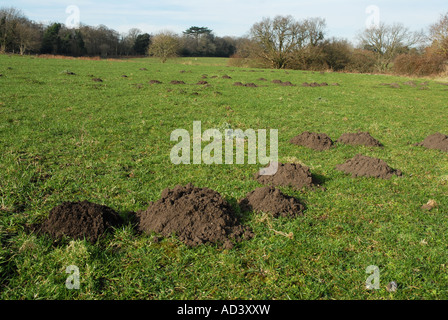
(283, 42)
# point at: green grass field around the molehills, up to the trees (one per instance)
(67, 138)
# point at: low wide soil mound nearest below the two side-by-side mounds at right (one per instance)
(365, 166)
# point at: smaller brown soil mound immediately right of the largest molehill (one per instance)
(273, 201)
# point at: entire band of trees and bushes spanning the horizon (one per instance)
(279, 42)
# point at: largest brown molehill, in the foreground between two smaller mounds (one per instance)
(195, 215)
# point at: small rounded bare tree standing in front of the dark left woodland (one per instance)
(164, 45)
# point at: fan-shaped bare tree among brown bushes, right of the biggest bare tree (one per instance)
(388, 41)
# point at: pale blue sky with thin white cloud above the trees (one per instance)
(233, 17)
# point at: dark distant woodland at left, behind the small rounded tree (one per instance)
(18, 34)
